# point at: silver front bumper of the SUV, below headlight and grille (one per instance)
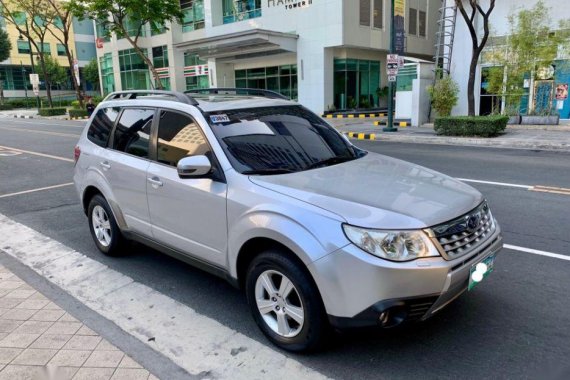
(359, 289)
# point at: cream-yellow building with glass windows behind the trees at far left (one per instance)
(14, 72)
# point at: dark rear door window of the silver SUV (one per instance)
(133, 132)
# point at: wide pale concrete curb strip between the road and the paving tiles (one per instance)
(193, 341)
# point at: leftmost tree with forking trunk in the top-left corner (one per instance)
(31, 18)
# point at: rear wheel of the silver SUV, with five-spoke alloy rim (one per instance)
(103, 226)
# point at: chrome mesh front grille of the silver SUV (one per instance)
(462, 235)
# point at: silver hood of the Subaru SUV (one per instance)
(377, 191)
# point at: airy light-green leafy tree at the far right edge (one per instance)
(530, 46)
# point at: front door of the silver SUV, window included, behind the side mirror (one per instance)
(186, 214)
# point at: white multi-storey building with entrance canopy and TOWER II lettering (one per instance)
(325, 53)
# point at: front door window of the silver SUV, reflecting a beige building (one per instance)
(179, 137)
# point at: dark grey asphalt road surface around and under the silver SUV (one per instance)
(514, 325)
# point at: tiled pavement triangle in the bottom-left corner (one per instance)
(39, 340)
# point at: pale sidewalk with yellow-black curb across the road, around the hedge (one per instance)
(519, 136)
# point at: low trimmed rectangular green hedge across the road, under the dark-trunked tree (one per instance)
(485, 126)
